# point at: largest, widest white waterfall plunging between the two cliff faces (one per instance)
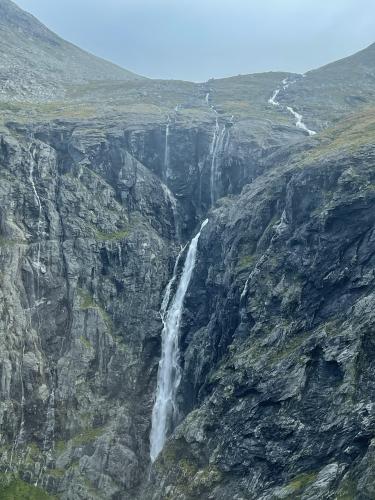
(165, 411)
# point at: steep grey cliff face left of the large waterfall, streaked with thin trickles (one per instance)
(89, 236)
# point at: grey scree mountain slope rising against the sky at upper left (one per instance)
(37, 64)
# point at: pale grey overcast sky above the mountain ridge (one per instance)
(199, 39)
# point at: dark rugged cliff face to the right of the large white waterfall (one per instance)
(277, 349)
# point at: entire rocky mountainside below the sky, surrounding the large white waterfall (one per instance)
(98, 193)
